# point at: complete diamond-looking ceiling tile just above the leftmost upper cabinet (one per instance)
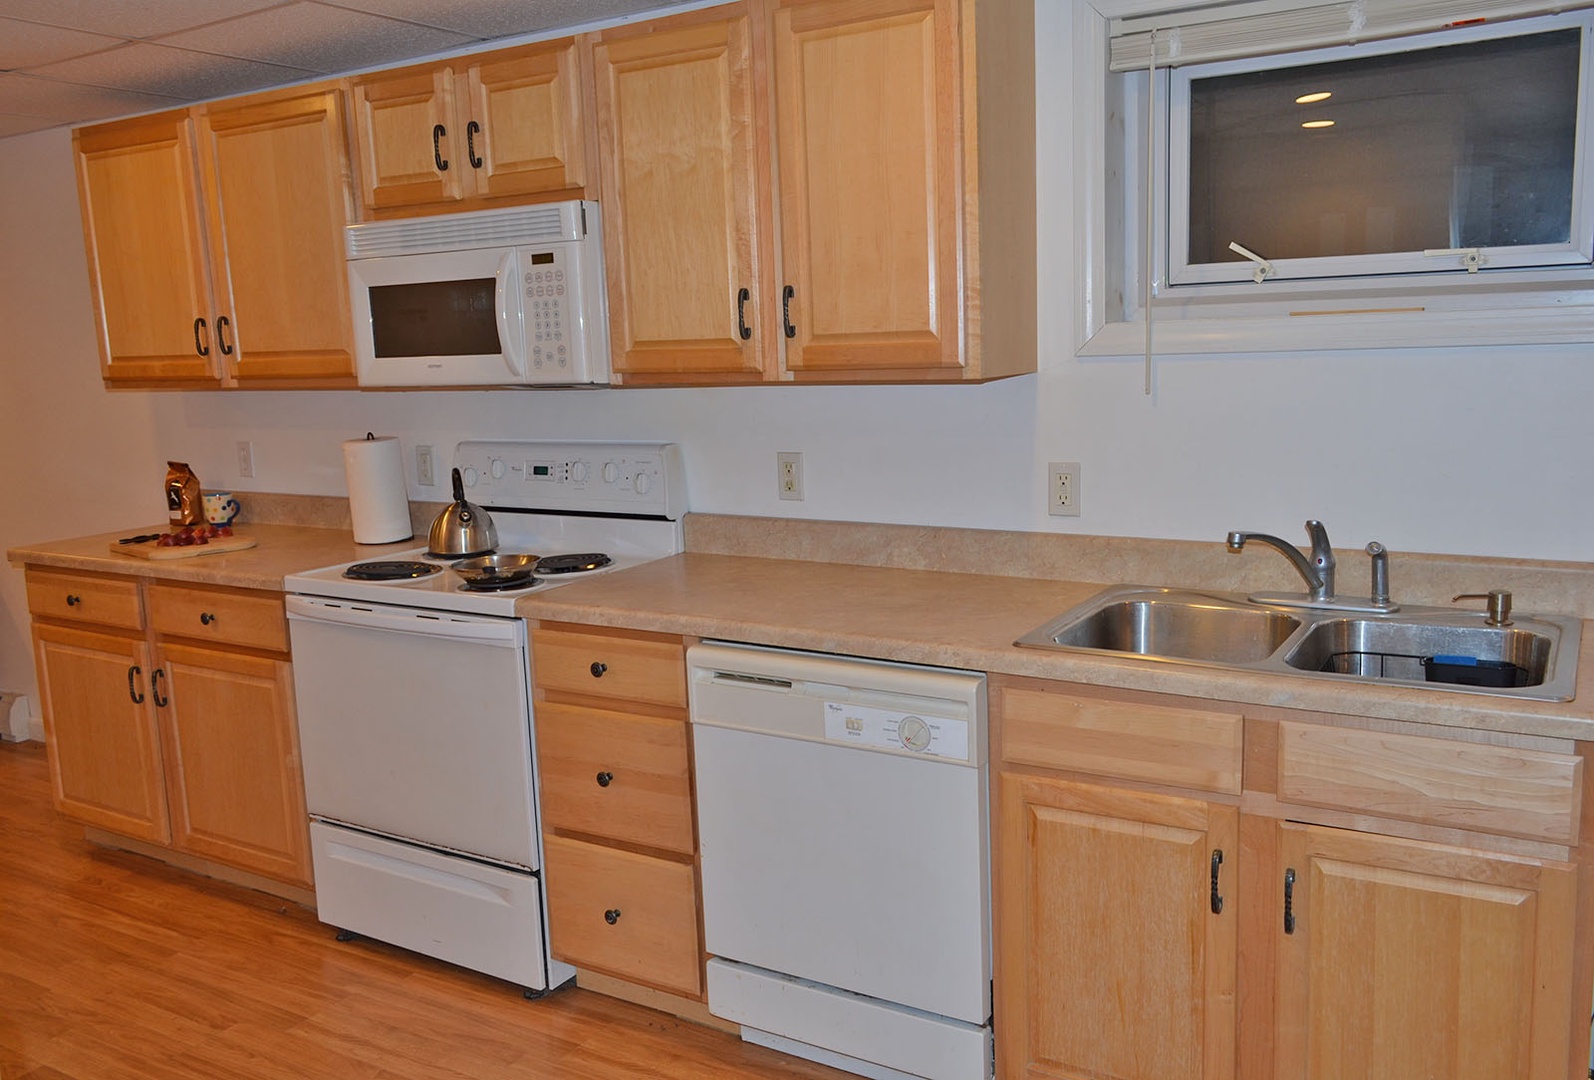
(181, 74)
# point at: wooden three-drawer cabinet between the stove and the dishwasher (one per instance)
(614, 762)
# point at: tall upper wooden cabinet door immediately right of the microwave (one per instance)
(686, 198)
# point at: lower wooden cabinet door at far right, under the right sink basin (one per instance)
(1407, 960)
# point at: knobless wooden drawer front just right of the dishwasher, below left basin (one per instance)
(1161, 745)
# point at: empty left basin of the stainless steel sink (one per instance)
(1176, 625)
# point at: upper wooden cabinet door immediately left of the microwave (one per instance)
(278, 198)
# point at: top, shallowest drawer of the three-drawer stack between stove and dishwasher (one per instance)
(627, 667)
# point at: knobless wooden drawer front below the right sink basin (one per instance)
(1490, 789)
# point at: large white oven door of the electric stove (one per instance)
(417, 726)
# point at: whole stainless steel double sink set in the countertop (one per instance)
(1435, 648)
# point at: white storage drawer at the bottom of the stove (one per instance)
(458, 910)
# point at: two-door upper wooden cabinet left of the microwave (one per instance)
(216, 243)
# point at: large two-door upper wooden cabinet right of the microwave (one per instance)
(903, 202)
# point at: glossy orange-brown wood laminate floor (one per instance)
(119, 968)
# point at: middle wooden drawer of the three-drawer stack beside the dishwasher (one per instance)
(616, 777)
